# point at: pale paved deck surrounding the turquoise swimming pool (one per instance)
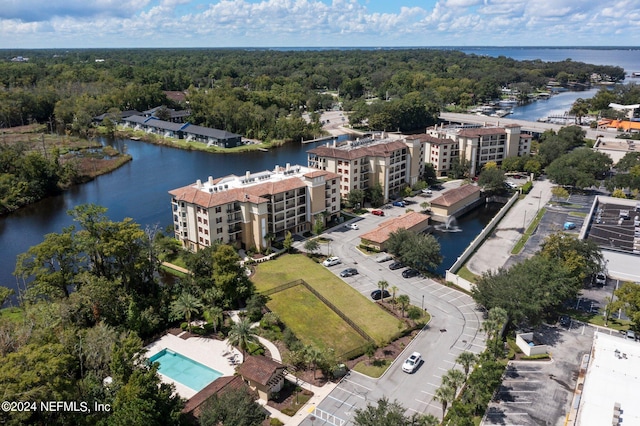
(210, 352)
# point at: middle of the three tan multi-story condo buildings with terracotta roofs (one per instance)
(365, 162)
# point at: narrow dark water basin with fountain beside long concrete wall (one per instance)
(455, 238)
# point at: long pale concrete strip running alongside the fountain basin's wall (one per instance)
(496, 249)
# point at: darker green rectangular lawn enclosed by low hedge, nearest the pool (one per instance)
(313, 322)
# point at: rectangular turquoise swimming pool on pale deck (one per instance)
(184, 370)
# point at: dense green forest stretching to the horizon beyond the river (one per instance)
(262, 93)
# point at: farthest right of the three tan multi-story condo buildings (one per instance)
(478, 145)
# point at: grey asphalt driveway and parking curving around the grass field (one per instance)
(454, 328)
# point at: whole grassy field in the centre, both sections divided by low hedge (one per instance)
(377, 323)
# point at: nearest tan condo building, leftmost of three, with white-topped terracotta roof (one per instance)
(249, 211)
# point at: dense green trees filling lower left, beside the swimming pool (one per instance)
(90, 296)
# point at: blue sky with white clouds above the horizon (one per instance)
(321, 23)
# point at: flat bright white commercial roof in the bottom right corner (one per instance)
(612, 379)
